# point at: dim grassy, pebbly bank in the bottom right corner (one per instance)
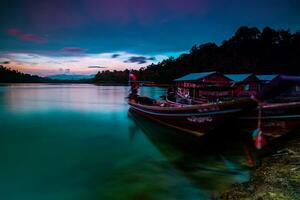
(278, 176)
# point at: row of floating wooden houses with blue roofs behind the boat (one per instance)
(216, 84)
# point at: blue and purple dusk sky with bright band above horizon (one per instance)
(47, 37)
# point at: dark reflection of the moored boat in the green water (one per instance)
(212, 163)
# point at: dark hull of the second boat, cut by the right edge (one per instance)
(276, 119)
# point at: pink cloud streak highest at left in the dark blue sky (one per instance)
(26, 37)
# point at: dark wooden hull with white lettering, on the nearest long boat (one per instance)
(196, 119)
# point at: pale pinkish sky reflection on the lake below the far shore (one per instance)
(83, 98)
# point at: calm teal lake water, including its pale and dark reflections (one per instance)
(79, 142)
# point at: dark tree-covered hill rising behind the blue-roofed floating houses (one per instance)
(250, 50)
